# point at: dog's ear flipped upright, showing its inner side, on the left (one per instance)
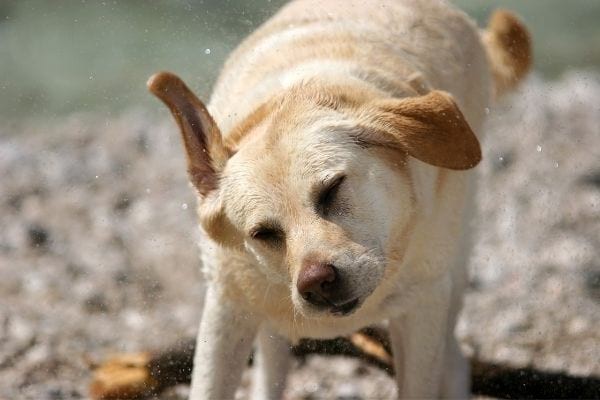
(206, 154)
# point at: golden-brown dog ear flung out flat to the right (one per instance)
(430, 128)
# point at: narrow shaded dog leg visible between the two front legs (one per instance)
(272, 359)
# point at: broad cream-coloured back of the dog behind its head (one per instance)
(384, 41)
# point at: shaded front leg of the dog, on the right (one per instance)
(418, 343)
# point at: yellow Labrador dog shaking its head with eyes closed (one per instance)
(333, 168)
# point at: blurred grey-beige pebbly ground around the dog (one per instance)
(98, 253)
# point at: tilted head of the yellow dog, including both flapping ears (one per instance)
(315, 183)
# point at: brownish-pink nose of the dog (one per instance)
(316, 283)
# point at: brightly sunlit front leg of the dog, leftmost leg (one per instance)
(222, 348)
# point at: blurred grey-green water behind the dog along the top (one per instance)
(64, 56)
